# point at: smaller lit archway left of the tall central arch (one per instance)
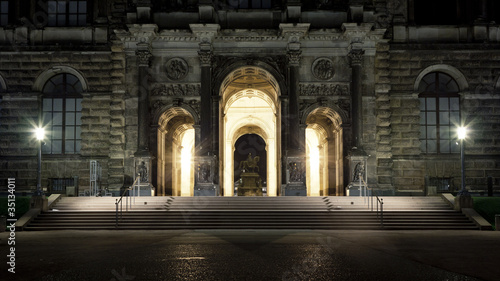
(176, 138)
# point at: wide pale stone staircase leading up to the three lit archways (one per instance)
(91, 213)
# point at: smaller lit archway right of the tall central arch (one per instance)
(324, 166)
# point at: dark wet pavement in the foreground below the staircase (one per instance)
(254, 255)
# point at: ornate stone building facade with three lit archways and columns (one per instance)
(178, 90)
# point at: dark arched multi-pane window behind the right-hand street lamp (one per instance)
(439, 113)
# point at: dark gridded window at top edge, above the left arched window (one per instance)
(67, 13)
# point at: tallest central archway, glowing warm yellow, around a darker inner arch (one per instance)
(249, 105)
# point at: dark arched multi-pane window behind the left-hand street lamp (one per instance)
(62, 112)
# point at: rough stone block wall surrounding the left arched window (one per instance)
(20, 109)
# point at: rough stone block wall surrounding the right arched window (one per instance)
(476, 71)
